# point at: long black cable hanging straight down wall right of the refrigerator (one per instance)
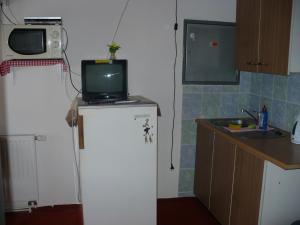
(174, 82)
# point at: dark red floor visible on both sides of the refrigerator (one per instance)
(177, 211)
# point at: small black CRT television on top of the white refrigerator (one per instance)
(104, 80)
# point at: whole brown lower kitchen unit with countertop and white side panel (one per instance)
(258, 186)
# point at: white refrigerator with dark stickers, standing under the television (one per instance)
(118, 163)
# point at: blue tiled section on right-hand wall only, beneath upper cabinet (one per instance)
(280, 94)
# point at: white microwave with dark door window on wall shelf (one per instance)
(31, 41)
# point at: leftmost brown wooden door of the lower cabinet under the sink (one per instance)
(204, 152)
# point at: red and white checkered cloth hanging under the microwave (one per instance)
(6, 65)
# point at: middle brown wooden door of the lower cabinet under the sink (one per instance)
(222, 178)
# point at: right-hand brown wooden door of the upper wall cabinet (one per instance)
(274, 42)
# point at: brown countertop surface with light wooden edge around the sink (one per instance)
(279, 151)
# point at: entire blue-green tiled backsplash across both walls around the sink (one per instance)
(280, 94)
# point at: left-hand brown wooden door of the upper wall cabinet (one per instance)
(247, 33)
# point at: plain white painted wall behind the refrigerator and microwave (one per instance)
(146, 37)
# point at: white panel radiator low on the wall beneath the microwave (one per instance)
(19, 168)
